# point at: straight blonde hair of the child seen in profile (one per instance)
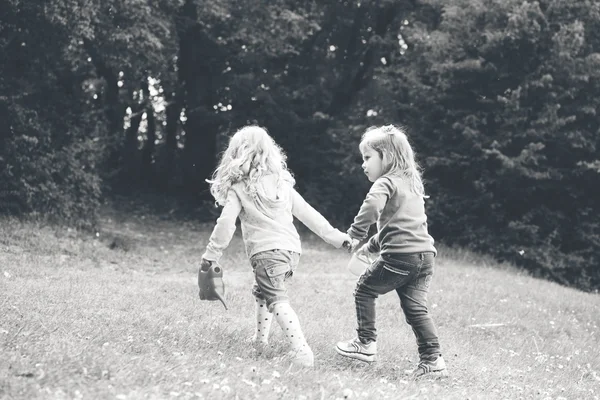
(398, 157)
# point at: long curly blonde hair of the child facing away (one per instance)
(250, 155)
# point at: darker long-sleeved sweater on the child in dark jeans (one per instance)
(400, 217)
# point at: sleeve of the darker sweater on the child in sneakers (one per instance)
(371, 208)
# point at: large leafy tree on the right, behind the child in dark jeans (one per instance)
(502, 98)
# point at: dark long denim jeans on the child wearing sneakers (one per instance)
(409, 275)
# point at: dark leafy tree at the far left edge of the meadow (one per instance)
(48, 152)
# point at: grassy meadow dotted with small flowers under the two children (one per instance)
(81, 320)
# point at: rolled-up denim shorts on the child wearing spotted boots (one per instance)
(271, 269)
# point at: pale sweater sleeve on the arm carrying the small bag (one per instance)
(224, 229)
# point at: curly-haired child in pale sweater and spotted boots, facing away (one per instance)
(253, 183)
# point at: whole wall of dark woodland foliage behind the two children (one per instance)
(500, 99)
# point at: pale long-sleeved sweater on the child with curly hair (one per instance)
(268, 222)
